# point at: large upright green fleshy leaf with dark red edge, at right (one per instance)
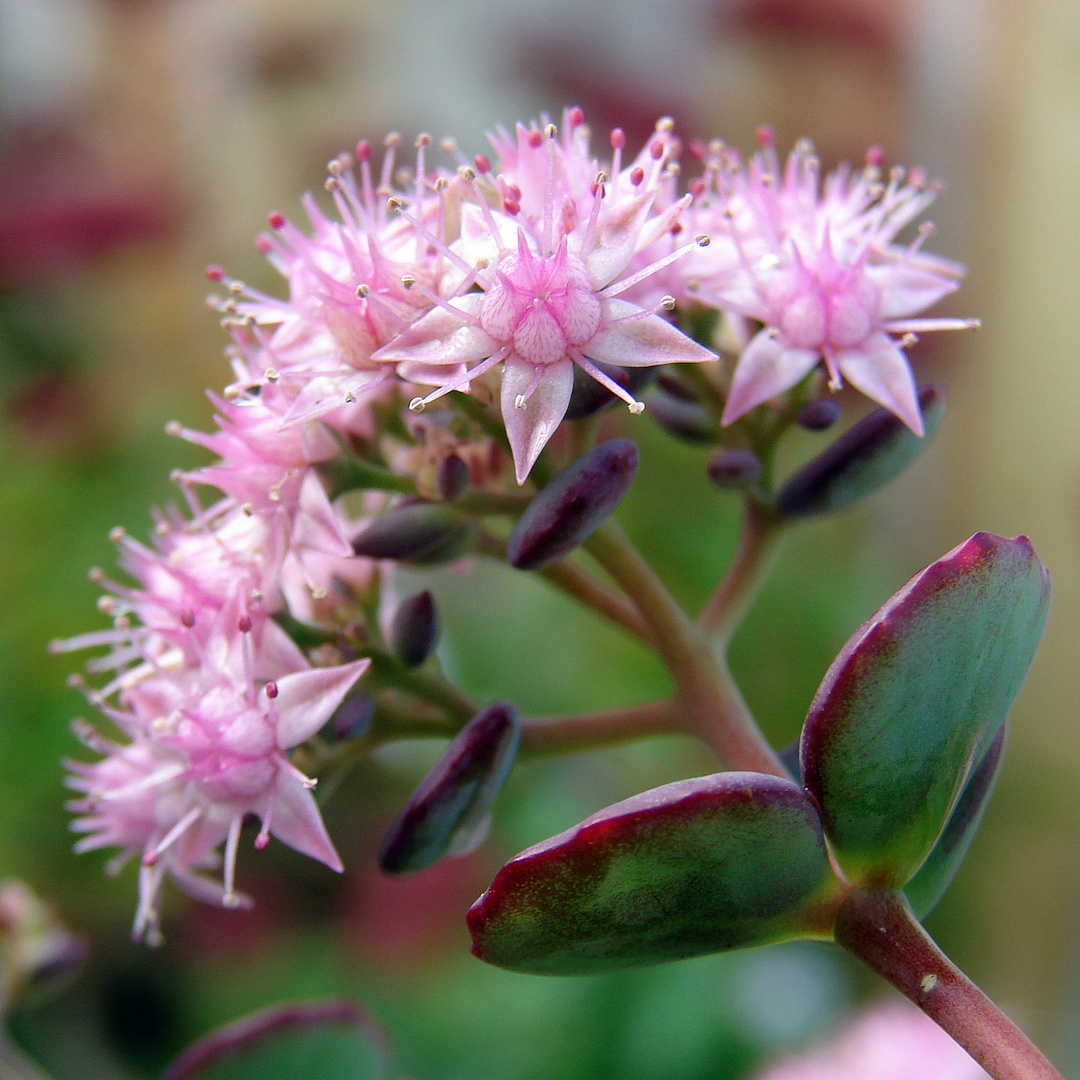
(915, 700)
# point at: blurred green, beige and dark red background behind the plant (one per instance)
(143, 139)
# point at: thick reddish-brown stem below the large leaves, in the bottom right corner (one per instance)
(879, 927)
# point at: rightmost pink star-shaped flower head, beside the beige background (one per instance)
(821, 271)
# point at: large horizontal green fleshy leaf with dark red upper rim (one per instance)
(696, 867)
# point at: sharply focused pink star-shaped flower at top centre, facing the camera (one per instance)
(550, 263)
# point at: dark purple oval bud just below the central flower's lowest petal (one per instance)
(573, 506)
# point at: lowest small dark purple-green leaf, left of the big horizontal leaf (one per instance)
(451, 812)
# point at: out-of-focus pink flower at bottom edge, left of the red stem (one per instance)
(889, 1042)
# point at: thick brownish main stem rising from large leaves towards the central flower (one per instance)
(715, 710)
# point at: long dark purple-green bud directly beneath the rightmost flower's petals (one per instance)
(865, 458)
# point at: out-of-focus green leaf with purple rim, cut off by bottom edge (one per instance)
(313, 1041)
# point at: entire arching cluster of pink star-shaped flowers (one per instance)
(509, 279)
